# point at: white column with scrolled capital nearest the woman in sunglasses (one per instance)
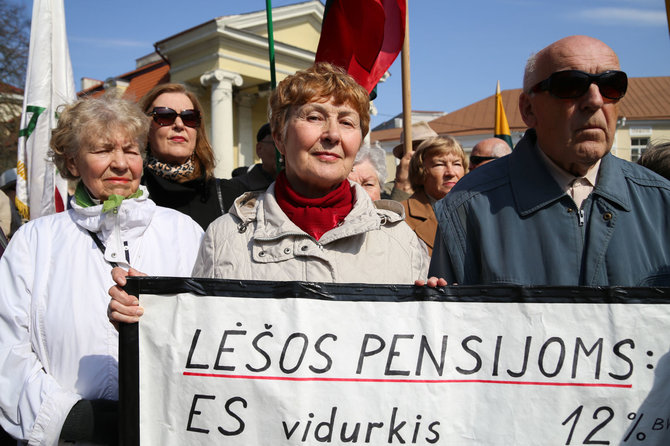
(222, 82)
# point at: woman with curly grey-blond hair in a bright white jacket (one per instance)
(58, 352)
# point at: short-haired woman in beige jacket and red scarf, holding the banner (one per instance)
(312, 224)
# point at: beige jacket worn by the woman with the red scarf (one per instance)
(257, 241)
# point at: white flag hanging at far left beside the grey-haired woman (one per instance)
(40, 190)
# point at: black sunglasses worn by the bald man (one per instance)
(571, 84)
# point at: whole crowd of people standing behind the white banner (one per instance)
(557, 210)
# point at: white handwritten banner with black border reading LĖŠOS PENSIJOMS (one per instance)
(363, 364)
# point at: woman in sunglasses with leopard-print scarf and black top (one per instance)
(180, 162)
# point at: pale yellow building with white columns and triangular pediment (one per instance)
(225, 62)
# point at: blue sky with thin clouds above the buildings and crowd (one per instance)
(458, 49)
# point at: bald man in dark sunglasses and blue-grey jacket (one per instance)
(560, 210)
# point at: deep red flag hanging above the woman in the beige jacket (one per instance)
(362, 36)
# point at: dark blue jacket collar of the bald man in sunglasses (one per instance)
(533, 186)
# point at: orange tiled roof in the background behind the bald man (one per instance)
(648, 98)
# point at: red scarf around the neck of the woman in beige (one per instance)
(315, 216)
